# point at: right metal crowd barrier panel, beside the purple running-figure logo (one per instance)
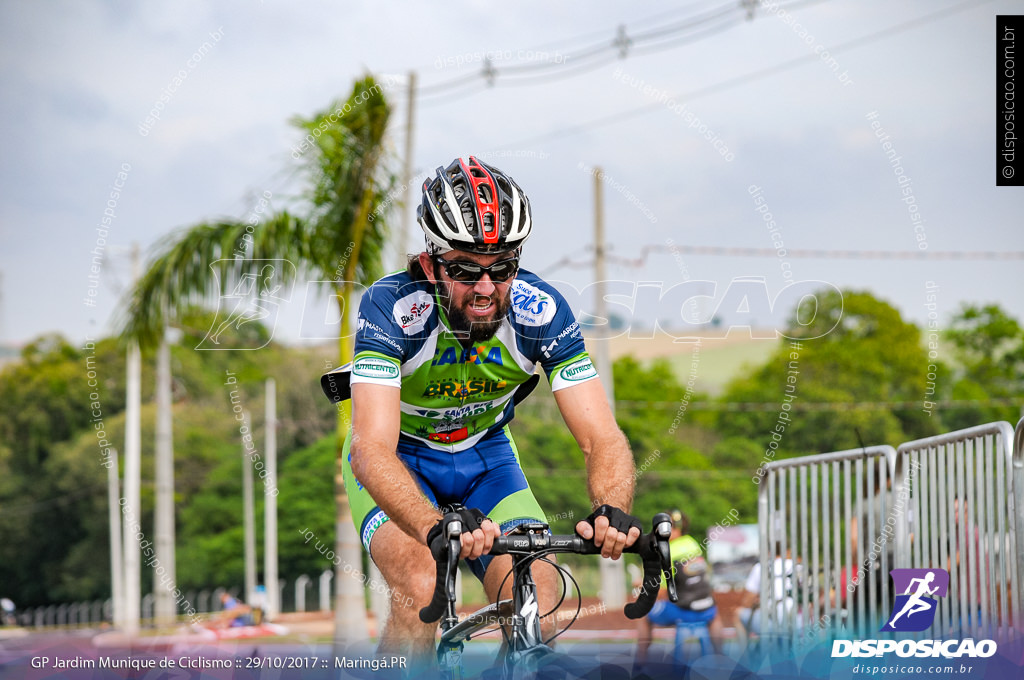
(964, 513)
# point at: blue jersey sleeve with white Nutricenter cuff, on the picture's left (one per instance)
(380, 347)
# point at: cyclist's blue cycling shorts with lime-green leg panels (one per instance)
(487, 477)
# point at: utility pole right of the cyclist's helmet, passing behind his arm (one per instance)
(613, 573)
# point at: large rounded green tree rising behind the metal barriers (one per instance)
(852, 349)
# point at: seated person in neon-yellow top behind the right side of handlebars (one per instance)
(693, 579)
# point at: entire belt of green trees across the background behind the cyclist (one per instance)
(54, 517)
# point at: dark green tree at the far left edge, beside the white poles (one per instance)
(47, 500)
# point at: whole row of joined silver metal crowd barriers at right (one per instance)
(833, 526)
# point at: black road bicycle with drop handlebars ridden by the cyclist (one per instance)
(528, 655)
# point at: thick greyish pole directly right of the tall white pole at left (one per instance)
(166, 608)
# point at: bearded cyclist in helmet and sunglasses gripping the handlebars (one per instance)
(444, 351)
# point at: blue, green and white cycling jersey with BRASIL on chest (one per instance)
(454, 397)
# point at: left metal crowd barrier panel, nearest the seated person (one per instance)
(827, 532)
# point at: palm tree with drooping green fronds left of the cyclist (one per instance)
(338, 240)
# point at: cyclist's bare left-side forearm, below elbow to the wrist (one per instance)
(392, 486)
